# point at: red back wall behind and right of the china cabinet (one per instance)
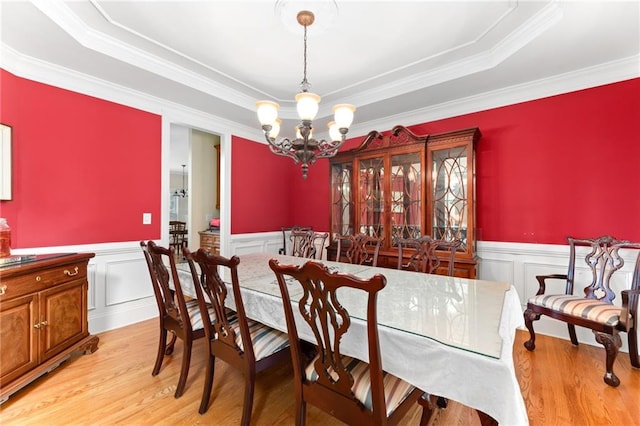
(546, 169)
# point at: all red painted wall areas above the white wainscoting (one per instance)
(86, 169)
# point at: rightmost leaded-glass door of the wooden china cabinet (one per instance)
(450, 206)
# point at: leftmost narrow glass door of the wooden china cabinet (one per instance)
(341, 201)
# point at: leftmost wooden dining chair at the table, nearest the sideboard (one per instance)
(176, 314)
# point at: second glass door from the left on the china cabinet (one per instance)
(371, 192)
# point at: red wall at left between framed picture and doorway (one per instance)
(84, 169)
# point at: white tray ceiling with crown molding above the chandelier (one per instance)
(386, 57)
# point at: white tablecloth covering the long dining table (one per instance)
(486, 383)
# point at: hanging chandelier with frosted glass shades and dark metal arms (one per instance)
(304, 149)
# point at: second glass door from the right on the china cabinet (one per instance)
(406, 196)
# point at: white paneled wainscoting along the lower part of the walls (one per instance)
(120, 292)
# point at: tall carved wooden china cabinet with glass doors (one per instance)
(401, 185)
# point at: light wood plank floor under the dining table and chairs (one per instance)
(561, 385)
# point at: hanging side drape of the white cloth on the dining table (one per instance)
(478, 381)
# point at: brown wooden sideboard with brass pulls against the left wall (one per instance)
(43, 317)
